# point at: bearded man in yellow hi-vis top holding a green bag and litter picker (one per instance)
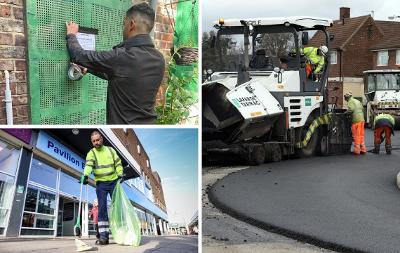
(107, 168)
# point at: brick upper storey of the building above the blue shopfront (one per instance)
(131, 142)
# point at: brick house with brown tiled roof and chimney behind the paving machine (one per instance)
(353, 50)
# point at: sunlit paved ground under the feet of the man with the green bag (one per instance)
(153, 244)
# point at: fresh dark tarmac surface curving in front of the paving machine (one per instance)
(341, 203)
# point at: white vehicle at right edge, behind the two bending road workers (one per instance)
(382, 94)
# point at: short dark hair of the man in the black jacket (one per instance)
(144, 14)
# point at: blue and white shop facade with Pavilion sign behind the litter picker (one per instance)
(39, 183)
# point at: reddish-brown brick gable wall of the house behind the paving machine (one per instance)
(356, 56)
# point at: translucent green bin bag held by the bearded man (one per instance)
(123, 220)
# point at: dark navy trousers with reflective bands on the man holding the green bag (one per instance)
(102, 190)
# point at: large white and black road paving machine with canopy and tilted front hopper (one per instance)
(260, 105)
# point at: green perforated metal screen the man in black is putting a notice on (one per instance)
(54, 98)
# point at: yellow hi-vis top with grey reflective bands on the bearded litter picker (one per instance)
(104, 163)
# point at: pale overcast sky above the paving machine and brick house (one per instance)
(212, 10)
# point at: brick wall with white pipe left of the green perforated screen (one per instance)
(12, 58)
